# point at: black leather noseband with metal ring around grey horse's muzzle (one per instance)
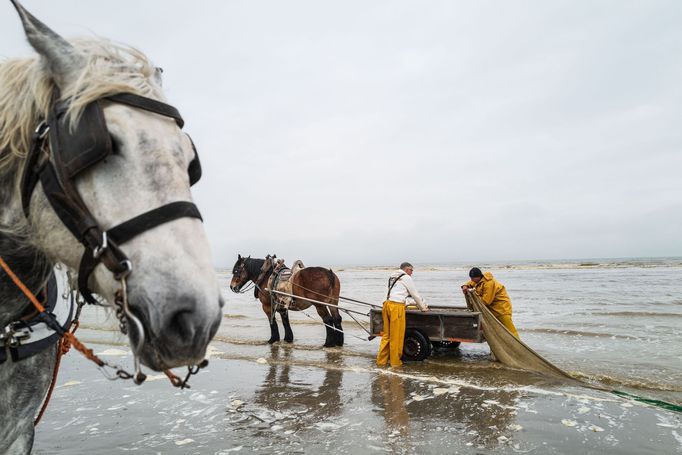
(124, 232)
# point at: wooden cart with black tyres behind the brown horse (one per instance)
(441, 327)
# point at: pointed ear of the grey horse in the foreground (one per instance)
(61, 57)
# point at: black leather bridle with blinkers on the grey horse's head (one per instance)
(58, 154)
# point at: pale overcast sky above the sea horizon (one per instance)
(430, 131)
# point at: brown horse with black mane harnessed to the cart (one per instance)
(315, 283)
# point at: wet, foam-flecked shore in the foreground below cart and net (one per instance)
(284, 399)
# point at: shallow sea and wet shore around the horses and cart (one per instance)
(616, 323)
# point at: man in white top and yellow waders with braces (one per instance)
(401, 291)
